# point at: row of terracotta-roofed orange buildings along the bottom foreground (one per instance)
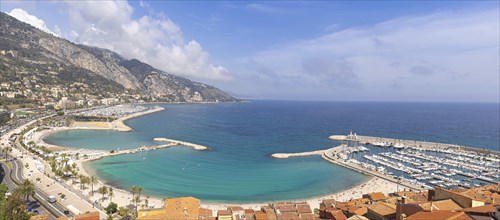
(436, 203)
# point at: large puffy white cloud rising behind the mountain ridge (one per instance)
(154, 40)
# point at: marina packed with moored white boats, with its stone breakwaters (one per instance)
(419, 165)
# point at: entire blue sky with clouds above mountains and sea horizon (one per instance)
(430, 51)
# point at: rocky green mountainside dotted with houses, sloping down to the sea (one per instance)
(37, 66)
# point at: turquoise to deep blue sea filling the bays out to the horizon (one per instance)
(238, 167)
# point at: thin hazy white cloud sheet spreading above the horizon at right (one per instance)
(445, 56)
